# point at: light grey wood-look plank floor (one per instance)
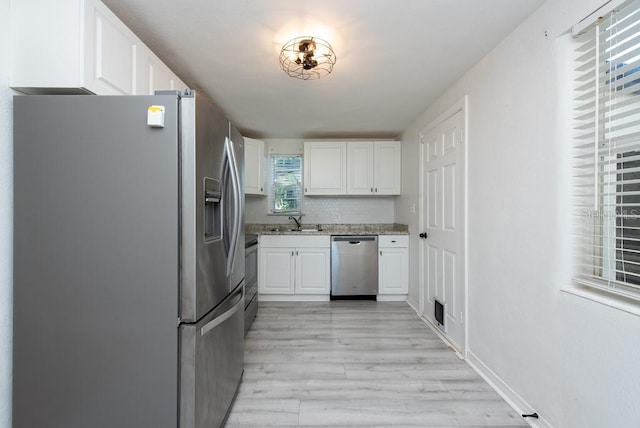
(357, 364)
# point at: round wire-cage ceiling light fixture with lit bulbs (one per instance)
(307, 58)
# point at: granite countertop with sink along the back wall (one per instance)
(328, 229)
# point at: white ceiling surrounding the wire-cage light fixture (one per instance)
(394, 58)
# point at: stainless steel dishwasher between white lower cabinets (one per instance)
(354, 266)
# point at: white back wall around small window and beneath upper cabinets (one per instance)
(322, 210)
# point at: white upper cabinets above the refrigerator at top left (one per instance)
(79, 46)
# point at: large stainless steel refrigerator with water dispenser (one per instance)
(128, 261)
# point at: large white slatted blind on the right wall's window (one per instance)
(607, 152)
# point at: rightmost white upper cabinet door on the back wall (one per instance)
(387, 167)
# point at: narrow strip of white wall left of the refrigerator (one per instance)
(6, 204)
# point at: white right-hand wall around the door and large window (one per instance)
(575, 361)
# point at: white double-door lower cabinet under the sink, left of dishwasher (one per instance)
(294, 267)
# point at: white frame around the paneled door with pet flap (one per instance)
(462, 107)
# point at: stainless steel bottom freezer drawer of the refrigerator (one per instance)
(212, 355)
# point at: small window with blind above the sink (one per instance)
(286, 184)
